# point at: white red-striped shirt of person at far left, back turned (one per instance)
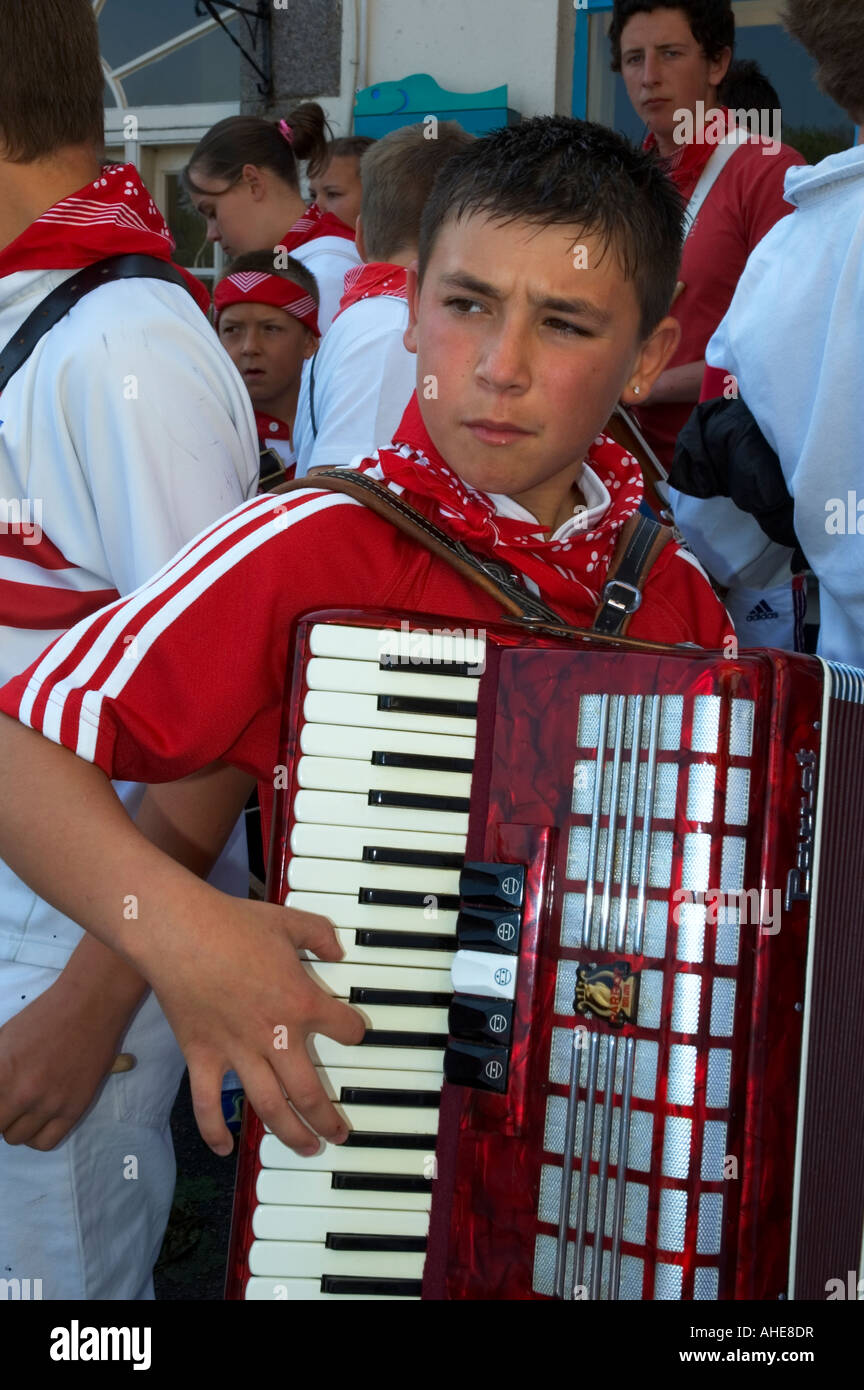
(126, 434)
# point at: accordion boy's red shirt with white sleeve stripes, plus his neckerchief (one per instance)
(192, 667)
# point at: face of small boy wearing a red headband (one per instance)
(269, 348)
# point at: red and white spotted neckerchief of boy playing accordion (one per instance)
(574, 555)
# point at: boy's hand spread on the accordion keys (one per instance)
(244, 1001)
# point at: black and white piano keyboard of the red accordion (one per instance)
(379, 836)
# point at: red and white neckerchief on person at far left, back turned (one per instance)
(113, 216)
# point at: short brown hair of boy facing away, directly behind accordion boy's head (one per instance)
(398, 177)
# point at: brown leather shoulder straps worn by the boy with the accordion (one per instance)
(637, 553)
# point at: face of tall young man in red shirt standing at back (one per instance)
(666, 70)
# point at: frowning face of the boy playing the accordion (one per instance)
(526, 340)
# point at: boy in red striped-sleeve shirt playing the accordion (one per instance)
(548, 262)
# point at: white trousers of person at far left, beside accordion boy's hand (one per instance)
(88, 1218)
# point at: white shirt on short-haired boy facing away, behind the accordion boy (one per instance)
(365, 379)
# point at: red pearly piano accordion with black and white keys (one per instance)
(613, 894)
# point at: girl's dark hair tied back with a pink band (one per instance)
(248, 140)
